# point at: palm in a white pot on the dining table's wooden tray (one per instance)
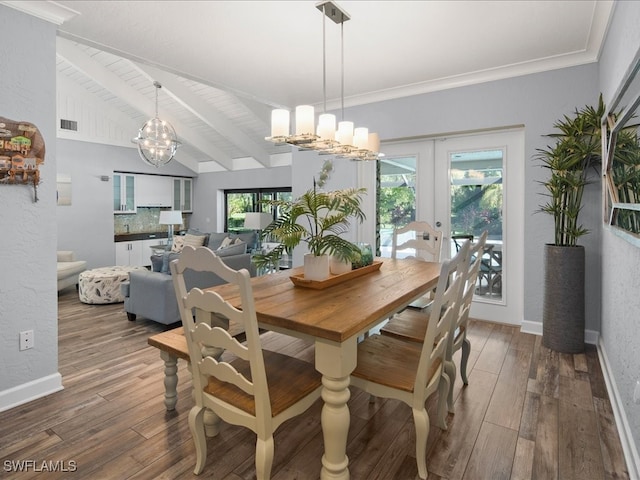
(318, 219)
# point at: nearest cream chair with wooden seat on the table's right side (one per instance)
(389, 367)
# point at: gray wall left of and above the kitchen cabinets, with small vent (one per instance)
(86, 226)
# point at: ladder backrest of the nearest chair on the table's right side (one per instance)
(444, 312)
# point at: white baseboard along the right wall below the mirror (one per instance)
(624, 429)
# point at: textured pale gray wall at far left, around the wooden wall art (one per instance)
(28, 291)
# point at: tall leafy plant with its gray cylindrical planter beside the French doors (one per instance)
(574, 156)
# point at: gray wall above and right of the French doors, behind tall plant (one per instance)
(534, 101)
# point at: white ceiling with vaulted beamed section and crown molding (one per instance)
(224, 65)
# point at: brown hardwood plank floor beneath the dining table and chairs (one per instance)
(528, 413)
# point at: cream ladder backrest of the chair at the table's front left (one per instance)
(203, 339)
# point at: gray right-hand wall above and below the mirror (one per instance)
(620, 259)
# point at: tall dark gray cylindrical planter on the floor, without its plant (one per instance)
(563, 314)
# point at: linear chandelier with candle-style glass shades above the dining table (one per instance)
(346, 141)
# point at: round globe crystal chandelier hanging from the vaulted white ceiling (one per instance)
(157, 141)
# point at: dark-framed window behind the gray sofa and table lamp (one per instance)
(238, 202)
